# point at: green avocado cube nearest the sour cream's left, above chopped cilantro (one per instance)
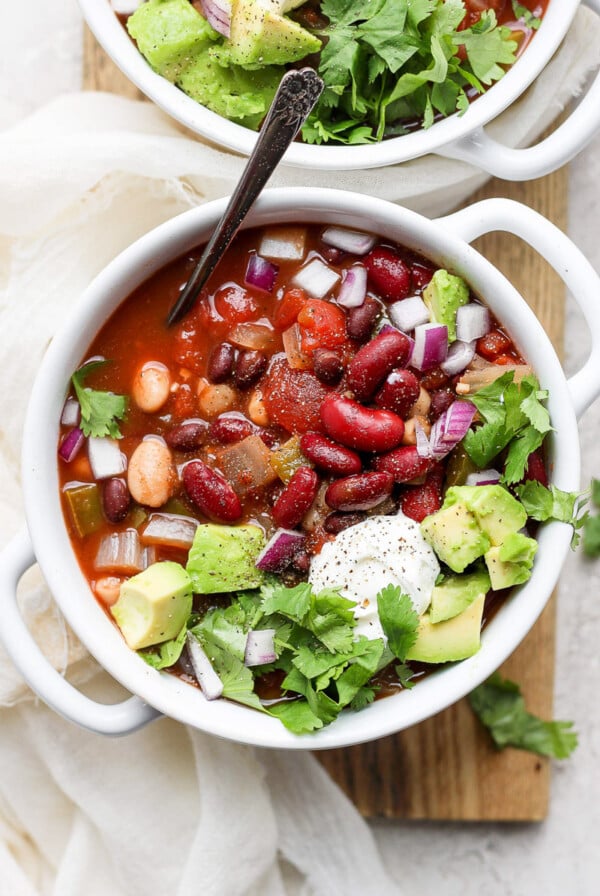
(222, 558)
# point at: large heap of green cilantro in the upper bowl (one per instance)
(386, 62)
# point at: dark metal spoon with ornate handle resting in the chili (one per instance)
(296, 96)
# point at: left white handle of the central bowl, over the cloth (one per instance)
(40, 675)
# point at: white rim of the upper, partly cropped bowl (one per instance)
(226, 134)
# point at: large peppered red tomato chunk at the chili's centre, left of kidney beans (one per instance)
(293, 397)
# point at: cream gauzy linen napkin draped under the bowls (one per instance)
(167, 809)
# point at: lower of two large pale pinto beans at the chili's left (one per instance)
(151, 476)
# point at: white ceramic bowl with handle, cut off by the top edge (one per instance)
(458, 137)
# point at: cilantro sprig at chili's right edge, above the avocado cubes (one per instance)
(515, 419)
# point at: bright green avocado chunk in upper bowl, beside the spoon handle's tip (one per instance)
(233, 92)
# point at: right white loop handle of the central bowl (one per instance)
(568, 261)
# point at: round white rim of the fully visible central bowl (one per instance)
(57, 560)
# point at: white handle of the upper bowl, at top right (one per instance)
(482, 151)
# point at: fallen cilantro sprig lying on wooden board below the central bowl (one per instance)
(500, 707)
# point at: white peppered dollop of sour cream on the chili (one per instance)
(383, 550)
